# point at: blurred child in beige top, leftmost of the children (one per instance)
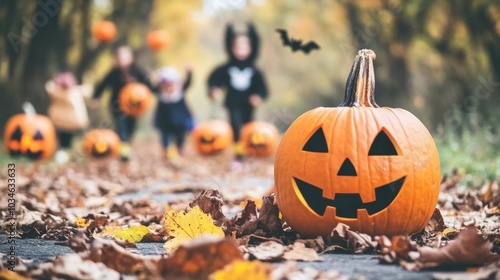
(67, 110)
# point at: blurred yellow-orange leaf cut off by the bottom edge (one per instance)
(243, 270)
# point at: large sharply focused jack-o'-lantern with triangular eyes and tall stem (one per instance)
(374, 169)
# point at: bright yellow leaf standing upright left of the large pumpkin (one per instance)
(182, 226)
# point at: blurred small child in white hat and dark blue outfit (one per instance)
(173, 117)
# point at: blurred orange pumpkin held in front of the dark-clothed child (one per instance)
(135, 99)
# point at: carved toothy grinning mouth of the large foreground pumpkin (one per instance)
(347, 204)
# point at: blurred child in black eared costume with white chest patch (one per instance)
(243, 81)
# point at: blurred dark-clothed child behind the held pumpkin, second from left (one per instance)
(125, 71)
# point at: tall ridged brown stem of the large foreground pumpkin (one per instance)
(360, 86)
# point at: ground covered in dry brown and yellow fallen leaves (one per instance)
(220, 225)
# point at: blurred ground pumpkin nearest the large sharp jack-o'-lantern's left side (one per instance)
(259, 138)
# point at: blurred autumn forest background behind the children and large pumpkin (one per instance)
(438, 59)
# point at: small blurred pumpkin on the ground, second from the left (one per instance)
(101, 143)
